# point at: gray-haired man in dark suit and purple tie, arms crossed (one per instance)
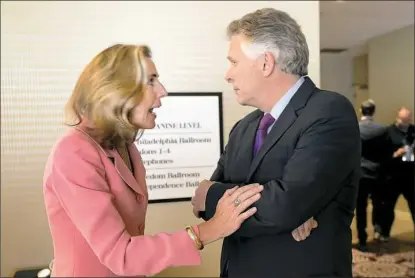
(301, 143)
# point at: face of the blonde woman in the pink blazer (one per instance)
(142, 115)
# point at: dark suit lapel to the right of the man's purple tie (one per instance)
(284, 121)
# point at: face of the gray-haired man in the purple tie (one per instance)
(244, 74)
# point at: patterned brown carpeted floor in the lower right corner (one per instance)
(391, 259)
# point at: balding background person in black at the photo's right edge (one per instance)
(400, 168)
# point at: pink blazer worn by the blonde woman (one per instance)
(96, 210)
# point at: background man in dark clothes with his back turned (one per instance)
(375, 152)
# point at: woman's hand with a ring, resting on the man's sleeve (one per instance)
(231, 211)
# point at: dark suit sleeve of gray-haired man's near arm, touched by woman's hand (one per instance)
(325, 156)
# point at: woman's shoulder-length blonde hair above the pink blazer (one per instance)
(109, 87)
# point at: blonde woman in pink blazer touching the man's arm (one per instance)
(94, 182)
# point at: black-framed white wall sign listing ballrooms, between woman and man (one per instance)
(184, 147)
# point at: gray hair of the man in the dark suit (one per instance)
(275, 31)
